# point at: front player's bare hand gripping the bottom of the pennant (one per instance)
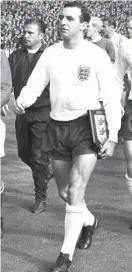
(107, 150)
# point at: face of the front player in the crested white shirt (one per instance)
(70, 24)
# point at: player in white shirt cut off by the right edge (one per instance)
(123, 62)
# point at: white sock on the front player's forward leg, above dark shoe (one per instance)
(74, 220)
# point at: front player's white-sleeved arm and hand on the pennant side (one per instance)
(110, 95)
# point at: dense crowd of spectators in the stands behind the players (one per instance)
(14, 13)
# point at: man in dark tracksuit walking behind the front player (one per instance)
(30, 127)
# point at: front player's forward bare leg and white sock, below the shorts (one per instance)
(77, 214)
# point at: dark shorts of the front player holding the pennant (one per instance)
(70, 138)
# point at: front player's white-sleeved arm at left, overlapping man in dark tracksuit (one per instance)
(36, 84)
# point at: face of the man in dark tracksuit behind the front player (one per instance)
(32, 36)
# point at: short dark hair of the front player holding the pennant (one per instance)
(85, 14)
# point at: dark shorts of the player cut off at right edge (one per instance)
(127, 121)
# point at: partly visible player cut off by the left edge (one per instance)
(6, 88)
